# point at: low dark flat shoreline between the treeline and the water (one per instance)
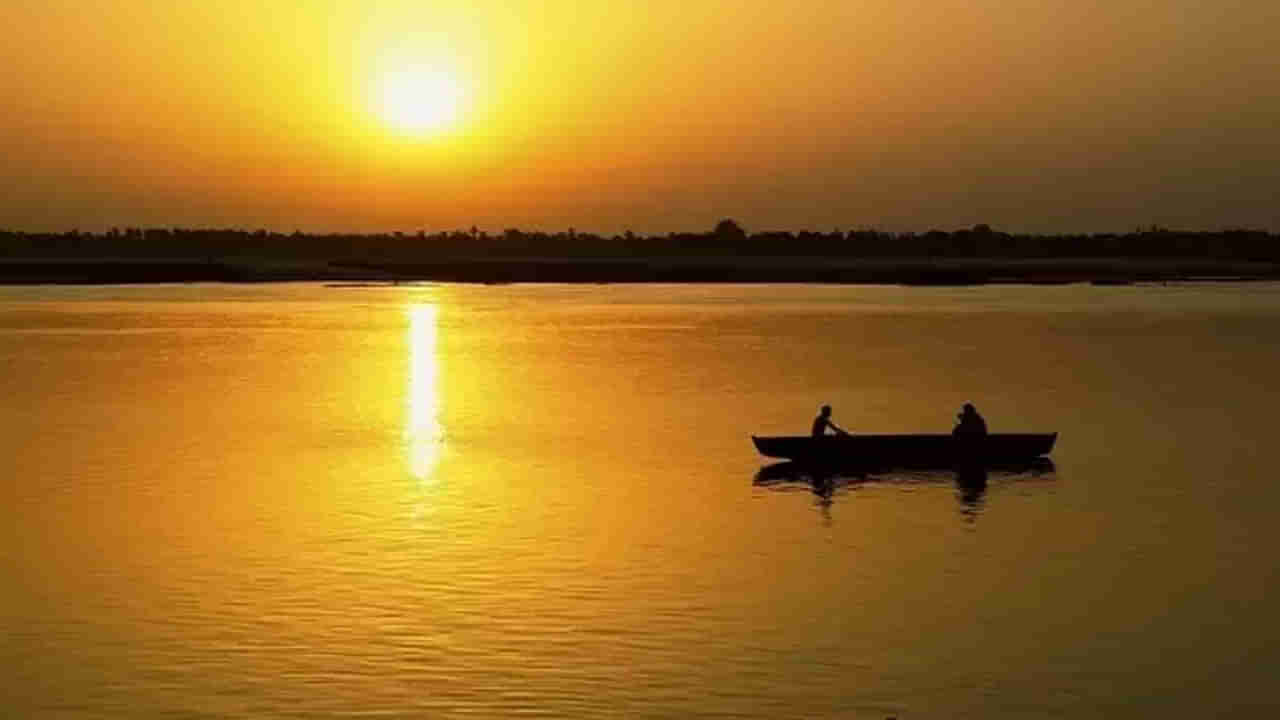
(492, 271)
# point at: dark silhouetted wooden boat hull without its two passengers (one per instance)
(908, 450)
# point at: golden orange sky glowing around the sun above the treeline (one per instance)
(646, 115)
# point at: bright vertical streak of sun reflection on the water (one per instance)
(426, 435)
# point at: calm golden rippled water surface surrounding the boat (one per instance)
(487, 502)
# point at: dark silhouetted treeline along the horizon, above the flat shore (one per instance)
(726, 240)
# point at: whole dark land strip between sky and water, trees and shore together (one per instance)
(725, 256)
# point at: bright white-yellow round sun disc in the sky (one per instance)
(420, 99)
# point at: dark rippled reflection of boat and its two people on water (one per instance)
(971, 482)
